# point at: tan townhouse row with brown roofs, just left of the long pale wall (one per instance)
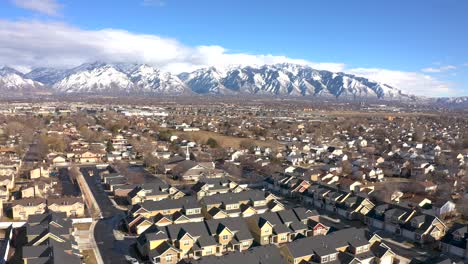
(71, 206)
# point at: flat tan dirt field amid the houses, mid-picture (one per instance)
(224, 141)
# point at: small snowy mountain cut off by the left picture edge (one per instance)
(13, 81)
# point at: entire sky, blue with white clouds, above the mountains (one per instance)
(418, 45)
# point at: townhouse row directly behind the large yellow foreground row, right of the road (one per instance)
(189, 209)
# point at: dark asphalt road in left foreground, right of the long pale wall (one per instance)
(112, 250)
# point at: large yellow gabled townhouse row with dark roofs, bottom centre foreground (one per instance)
(215, 237)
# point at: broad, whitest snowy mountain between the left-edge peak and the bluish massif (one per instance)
(103, 78)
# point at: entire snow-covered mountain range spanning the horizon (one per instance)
(140, 79)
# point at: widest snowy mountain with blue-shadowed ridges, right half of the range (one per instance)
(286, 79)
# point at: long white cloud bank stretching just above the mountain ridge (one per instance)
(29, 44)
